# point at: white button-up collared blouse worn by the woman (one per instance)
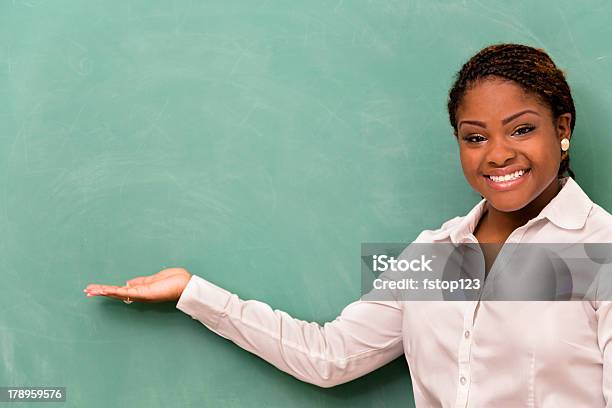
(460, 353)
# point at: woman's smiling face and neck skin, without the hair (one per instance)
(512, 162)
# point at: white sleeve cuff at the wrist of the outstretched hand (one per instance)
(203, 301)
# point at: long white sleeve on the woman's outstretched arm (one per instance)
(366, 335)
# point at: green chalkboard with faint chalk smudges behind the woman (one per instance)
(256, 143)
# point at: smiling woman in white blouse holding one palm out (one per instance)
(513, 116)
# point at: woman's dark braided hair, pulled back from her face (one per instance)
(529, 67)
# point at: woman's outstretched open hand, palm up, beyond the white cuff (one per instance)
(164, 286)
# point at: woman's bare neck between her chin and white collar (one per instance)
(511, 220)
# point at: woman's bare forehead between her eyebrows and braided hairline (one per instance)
(495, 97)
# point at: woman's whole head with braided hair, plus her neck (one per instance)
(511, 110)
